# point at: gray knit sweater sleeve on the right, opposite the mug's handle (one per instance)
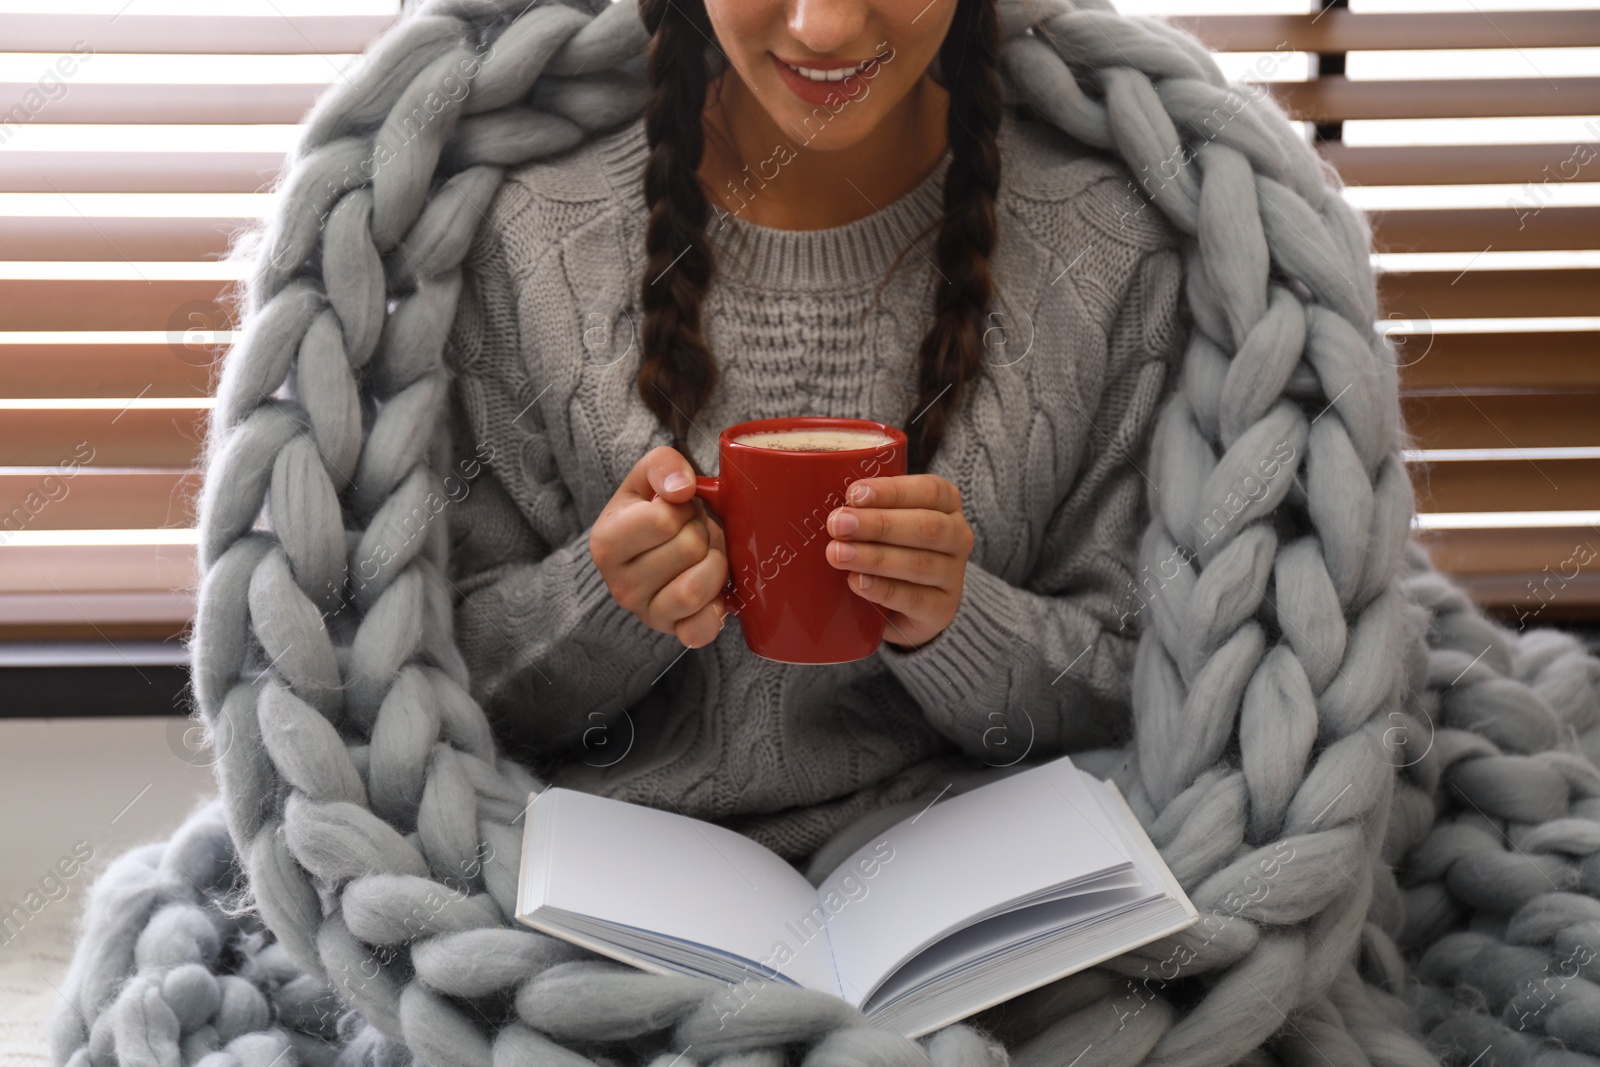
(1047, 668)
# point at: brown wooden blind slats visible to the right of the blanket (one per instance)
(1490, 274)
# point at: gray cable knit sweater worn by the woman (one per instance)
(1047, 450)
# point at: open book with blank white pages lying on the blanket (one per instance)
(972, 901)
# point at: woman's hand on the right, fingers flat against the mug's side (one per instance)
(906, 540)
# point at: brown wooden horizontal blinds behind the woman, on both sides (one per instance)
(122, 180)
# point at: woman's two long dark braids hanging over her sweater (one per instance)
(678, 372)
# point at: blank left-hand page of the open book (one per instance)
(673, 876)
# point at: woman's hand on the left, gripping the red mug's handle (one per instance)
(660, 554)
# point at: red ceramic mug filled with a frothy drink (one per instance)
(791, 602)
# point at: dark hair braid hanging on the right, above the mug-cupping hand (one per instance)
(953, 350)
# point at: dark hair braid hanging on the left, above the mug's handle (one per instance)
(678, 374)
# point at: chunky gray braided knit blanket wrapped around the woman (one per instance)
(1385, 805)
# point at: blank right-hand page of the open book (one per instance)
(961, 861)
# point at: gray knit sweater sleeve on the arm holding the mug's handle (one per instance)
(546, 644)
